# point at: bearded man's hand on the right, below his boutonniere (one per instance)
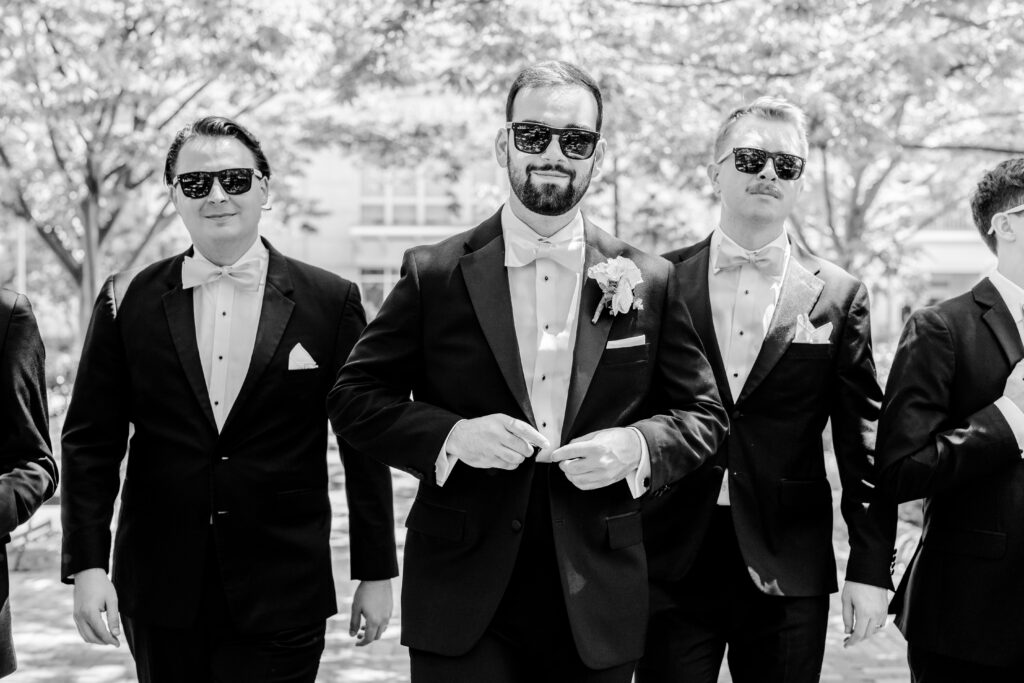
(600, 459)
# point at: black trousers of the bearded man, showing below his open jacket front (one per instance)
(530, 639)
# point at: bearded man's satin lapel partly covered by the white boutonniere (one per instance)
(591, 337)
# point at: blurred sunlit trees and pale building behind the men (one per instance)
(379, 116)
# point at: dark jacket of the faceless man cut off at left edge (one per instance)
(28, 472)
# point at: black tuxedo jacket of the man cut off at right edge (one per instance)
(943, 439)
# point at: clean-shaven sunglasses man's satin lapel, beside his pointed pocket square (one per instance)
(274, 318)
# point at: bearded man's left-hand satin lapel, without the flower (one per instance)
(488, 283)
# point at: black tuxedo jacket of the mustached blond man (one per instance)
(781, 500)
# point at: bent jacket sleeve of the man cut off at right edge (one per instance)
(924, 451)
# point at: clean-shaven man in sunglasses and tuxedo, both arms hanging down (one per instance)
(221, 359)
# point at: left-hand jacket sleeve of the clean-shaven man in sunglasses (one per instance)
(95, 442)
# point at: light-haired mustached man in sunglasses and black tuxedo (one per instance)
(741, 552)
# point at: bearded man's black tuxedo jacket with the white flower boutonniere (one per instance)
(447, 335)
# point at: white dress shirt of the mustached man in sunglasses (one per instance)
(743, 304)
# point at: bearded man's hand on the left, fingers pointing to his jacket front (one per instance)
(494, 442)
